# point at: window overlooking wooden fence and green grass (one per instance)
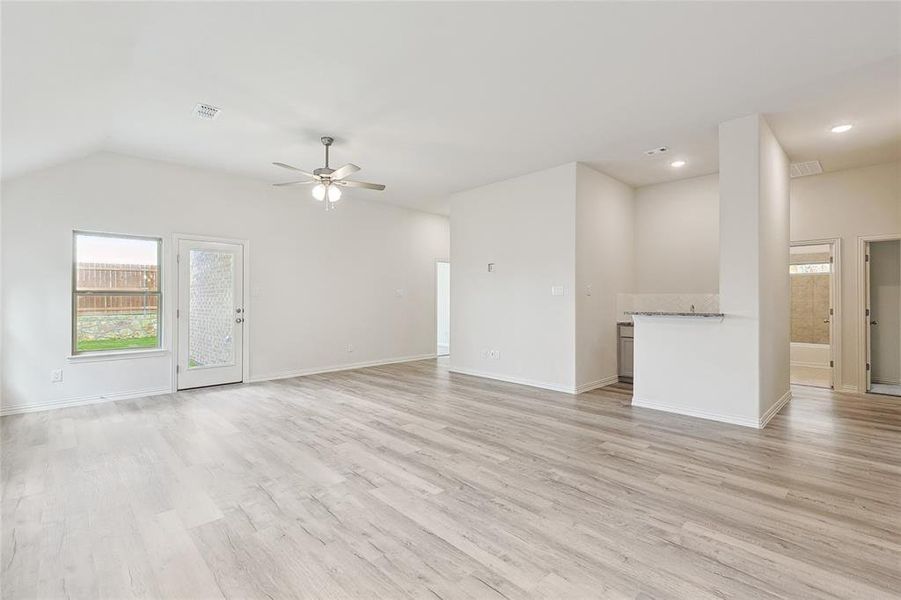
(115, 292)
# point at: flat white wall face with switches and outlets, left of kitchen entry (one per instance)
(526, 227)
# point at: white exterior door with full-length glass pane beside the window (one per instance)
(210, 313)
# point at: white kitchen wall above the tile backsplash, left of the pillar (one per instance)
(677, 237)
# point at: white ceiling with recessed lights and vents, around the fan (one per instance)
(433, 98)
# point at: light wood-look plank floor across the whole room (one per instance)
(406, 481)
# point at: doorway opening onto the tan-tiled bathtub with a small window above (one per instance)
(812, 267)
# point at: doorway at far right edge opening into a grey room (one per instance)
(882, 325)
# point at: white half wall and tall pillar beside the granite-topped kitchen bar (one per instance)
(734, 370)
